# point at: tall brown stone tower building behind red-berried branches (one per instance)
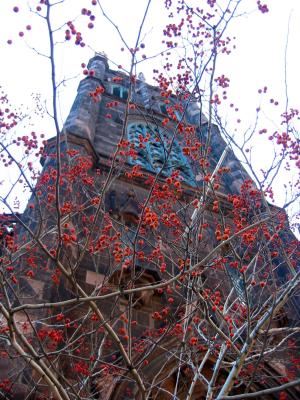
(125, 251)
